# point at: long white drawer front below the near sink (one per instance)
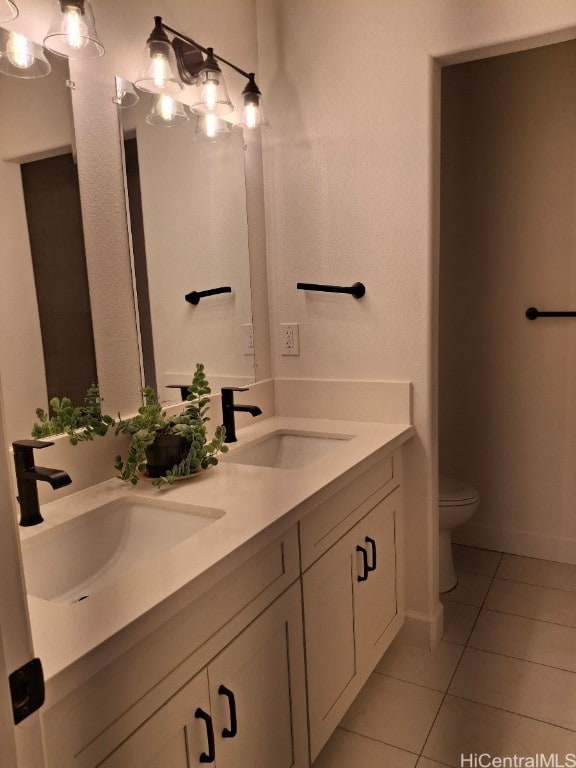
(126, 692)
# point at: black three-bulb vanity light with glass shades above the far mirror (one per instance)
(169, 66)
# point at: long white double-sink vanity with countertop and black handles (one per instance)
(245, 643)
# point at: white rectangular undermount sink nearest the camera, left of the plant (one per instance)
(68, 563)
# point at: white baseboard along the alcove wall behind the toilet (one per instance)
(517, 542)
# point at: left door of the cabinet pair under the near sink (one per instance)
(176, 736)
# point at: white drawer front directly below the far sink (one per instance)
(334, 517)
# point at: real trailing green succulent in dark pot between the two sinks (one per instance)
(168, 447)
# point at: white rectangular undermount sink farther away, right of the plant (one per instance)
(286, 450)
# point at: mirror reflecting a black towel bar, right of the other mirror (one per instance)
(187, 210)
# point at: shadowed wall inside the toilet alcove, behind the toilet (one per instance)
(507, 407)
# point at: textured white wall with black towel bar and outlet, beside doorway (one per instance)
(350, 176)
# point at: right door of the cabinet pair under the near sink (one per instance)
(257, 692)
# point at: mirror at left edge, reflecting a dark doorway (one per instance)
(46, 342)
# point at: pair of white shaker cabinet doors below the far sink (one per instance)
(349, 605)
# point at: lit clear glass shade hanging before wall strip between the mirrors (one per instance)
(73, 31)
